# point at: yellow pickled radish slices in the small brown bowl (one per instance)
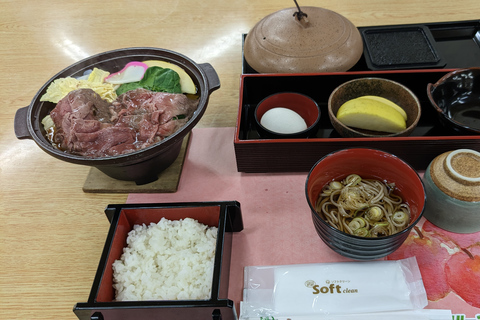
(371, 114)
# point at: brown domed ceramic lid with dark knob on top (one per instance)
(318, 40)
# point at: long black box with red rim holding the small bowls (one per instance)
(254, 154)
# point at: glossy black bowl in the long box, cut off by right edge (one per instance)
(456, 98)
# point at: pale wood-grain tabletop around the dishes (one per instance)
(51, 232)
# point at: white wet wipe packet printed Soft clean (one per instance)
(332, 288)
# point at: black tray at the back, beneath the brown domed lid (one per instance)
(455, 44)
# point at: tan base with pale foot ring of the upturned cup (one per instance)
(457, 174)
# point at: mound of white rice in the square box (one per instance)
(168, 260)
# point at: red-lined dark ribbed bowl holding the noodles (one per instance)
(368, 163)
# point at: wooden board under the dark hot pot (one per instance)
(98, 182)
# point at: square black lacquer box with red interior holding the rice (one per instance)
(101, 305)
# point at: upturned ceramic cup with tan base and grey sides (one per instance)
(452, 184)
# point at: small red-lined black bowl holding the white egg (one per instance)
(303, 105)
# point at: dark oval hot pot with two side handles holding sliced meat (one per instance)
(142, 165)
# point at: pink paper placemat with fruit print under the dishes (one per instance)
(278, 228)
